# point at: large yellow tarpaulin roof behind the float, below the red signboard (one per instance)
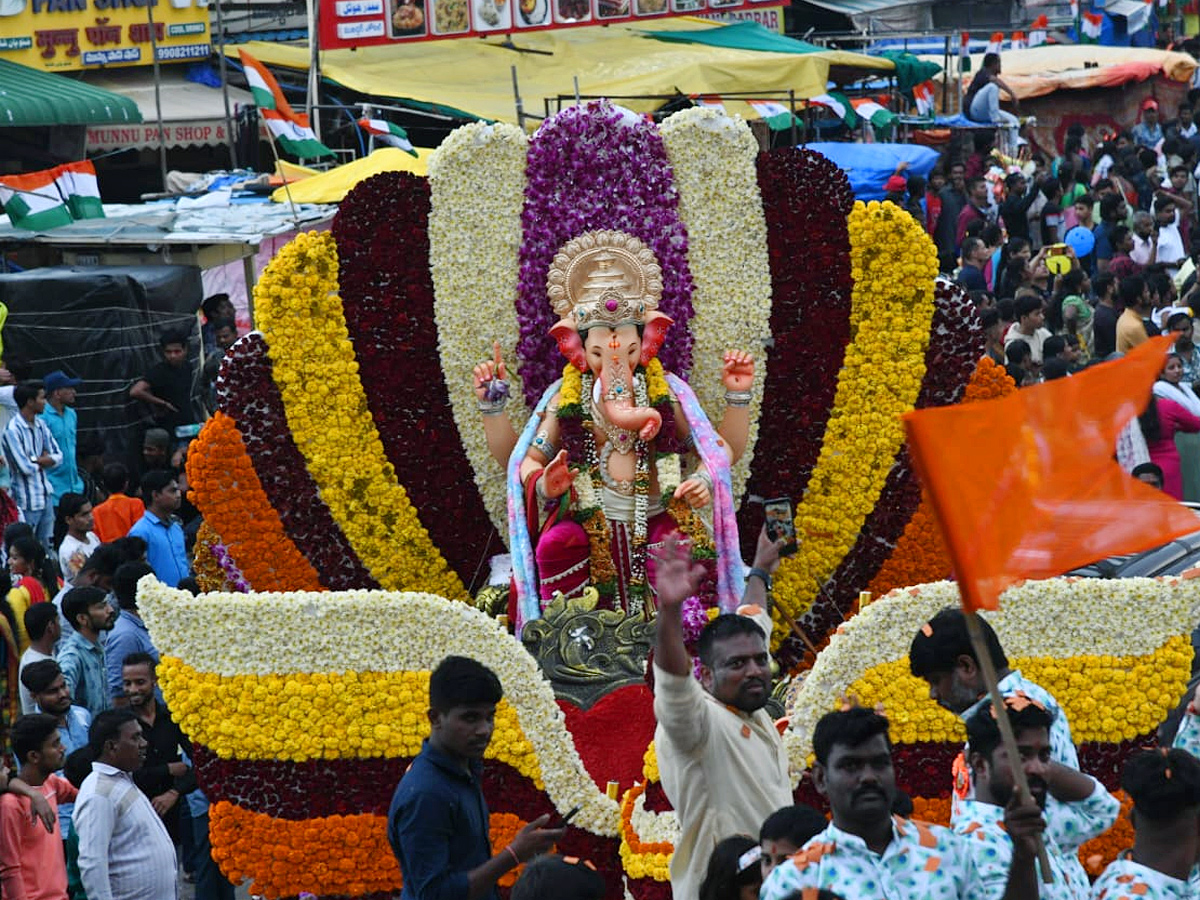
(475, 76)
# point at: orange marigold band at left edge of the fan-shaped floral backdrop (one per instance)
(229, 494)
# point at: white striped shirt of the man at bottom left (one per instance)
(125, 853)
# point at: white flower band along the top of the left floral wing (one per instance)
(374, 632)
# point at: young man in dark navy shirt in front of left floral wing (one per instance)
(439, 821)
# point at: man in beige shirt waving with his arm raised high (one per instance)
(723, 763)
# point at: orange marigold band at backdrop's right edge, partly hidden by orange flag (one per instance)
(920, 555)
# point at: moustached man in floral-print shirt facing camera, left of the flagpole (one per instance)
(867, 853)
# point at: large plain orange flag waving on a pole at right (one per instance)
(1027, 487)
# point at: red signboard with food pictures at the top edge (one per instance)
(361, 23)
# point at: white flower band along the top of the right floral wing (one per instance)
(1058, 617)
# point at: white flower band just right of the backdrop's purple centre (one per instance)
(713, 158)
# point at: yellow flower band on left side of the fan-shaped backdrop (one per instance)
(301, 315)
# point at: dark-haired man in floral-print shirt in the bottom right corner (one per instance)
(1165, 787)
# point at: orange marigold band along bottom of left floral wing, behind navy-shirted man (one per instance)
(287, 857)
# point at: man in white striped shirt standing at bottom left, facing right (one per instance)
(125, 853)
